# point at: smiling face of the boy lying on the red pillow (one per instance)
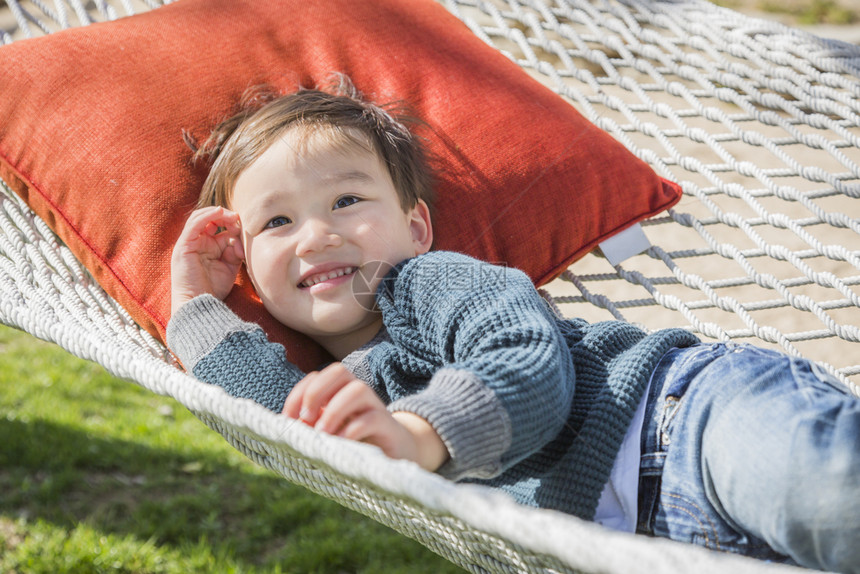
(317, 220)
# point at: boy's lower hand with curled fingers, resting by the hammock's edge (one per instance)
(335, 402)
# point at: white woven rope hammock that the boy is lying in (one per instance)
(761, 125)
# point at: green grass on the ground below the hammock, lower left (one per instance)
(100, 475)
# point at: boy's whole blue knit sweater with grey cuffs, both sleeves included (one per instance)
(525, 401)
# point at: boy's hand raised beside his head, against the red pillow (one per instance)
(206, 257)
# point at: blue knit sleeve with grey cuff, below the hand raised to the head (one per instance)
(216, 346)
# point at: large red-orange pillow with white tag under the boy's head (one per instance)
(91, 123)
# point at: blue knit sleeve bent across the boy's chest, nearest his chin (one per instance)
(505, 384)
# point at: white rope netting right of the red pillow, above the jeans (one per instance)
(761, 126)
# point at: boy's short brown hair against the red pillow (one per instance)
(337, 113)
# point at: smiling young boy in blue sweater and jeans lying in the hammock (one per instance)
(461, 366)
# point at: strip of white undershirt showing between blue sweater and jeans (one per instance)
(618, 505)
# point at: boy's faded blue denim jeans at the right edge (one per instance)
(751, 451)
